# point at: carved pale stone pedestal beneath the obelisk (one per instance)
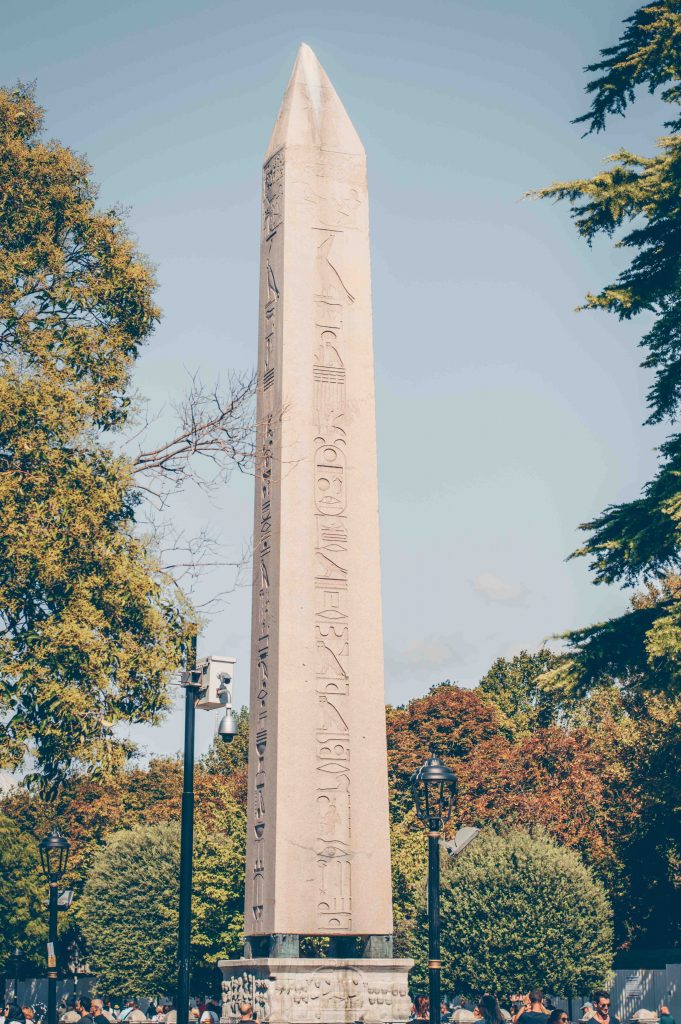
(310, 991)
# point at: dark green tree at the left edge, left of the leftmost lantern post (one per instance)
(23, 894)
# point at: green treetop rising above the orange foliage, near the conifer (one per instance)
(515, 689)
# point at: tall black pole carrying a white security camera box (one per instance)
(209, 688)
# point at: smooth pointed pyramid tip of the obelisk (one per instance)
(312, 115)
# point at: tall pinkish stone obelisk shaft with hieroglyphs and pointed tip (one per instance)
(318, 848)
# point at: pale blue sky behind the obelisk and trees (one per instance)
(504, 418)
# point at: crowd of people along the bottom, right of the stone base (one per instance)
(534, 1008)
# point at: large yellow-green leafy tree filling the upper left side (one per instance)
(91, 626)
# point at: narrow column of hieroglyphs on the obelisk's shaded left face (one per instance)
(270, 328)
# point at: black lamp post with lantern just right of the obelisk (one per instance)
(434, 788)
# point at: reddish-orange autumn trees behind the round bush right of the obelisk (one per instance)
(602, 779)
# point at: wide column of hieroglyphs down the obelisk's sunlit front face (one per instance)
(332, 298)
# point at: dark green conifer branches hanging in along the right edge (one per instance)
(640, 200)
